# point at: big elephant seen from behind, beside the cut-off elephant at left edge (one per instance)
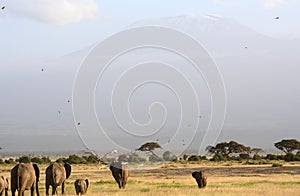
(25, 176)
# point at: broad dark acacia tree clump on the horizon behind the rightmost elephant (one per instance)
(227, 148)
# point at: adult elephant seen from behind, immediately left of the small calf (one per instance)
(56, 175)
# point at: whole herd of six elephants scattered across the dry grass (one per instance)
(25, 176)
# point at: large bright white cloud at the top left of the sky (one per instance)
(58, 12)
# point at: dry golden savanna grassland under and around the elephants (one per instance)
(175, 179)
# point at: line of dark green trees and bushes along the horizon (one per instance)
(223, 151)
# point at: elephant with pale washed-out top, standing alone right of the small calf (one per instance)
(120, 173)
